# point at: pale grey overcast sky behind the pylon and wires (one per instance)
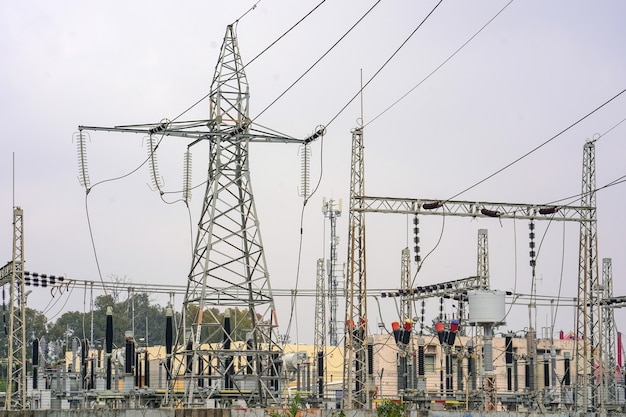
(444, 109)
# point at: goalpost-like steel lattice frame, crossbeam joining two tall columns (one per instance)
(355, 375)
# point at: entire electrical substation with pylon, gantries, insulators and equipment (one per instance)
(211, 360)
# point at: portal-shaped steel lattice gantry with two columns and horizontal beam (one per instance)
(589, 389)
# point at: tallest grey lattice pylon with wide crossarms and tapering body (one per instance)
(228, 269)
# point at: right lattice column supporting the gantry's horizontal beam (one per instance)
(589, 392)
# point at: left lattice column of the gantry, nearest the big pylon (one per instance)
(355, 339)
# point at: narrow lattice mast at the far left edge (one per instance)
(12, 276)
